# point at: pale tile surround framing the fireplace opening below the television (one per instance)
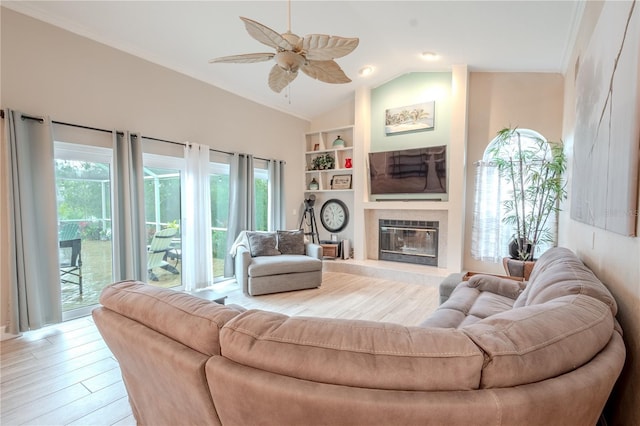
(373, 216)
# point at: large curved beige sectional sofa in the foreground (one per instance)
(498, 352)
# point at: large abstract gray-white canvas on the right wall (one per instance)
(605, 171)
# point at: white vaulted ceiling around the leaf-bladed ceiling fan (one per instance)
(520, 36)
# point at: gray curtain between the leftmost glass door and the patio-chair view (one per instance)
(128, 228)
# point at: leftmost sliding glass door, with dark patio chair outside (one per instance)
(83, 189)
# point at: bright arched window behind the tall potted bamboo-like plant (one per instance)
(490, 235)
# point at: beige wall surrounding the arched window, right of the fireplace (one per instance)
(499, 100)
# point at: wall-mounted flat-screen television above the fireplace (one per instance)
(409, 171)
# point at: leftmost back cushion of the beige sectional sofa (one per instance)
(193, 321)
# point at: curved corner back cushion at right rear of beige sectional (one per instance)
(540, 341)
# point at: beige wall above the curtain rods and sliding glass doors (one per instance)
(49, 71)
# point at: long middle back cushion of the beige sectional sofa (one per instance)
(353, 353)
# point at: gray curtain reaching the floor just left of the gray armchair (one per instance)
(241, 203)
